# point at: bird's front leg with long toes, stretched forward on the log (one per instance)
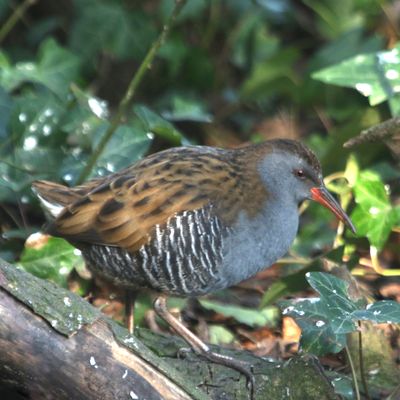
(200, 348)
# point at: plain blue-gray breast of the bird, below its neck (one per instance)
(256, 243)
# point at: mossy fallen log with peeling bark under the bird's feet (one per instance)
(54, 345)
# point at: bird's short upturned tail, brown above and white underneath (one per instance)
(54, 197)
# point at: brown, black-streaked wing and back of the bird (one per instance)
(122, 209)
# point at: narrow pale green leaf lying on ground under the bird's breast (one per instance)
(250, 317)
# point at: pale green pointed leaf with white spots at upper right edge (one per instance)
(376, 76)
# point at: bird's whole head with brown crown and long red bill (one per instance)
(292, 171)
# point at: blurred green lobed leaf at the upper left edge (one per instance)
(56, 68)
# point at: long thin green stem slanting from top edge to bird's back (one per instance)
(135, 82)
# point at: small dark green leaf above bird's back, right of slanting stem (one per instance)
(157, 125)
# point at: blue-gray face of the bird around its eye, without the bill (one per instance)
(288, 176)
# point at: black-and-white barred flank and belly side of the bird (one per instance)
(183, 257)
